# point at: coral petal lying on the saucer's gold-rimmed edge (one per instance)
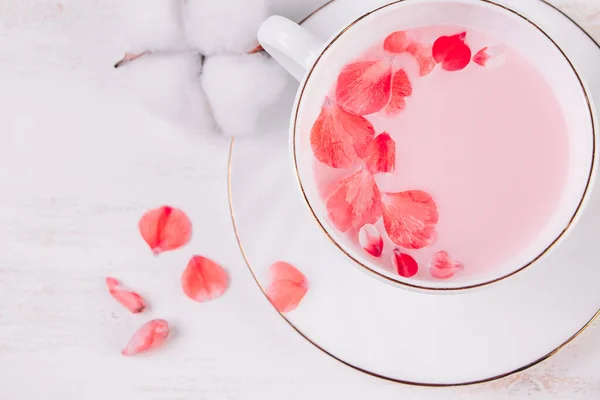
(288, 287)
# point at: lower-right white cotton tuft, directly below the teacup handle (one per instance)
(239, 88)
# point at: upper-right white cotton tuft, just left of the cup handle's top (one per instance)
(222, 26)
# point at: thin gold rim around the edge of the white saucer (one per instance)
(424, 384)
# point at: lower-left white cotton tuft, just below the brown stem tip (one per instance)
(169, 87)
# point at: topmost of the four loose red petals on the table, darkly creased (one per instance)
(165, 228)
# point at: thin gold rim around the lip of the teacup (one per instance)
(412, 285)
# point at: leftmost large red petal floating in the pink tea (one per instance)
(338, 138)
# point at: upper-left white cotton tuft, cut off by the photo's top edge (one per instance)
(153, 25)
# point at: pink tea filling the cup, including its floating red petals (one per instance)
(440, 150)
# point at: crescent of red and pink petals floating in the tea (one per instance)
(342, 137)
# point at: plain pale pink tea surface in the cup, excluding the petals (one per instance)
(490, 145)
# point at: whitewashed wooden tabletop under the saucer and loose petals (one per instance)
(79, 164)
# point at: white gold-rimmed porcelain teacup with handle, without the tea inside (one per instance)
(317, 65)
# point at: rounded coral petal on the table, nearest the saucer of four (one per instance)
(204, 280)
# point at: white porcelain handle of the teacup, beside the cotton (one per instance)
(289, 44)
